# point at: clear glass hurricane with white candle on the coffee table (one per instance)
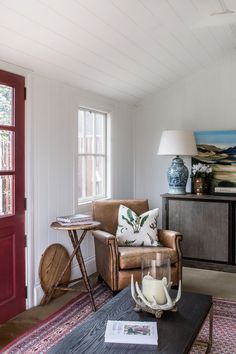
(156, 271)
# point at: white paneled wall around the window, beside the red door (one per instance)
(51, 131)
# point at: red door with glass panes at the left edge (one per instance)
(12, 251)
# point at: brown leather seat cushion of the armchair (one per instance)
(131, 257)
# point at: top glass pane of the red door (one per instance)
(6, 104)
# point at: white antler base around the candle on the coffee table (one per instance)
(142, 304)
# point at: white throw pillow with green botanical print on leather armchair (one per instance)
(134, 230)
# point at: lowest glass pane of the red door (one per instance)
(6, 195)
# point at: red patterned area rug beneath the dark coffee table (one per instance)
(43, 337)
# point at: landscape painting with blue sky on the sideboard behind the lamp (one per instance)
(218, 149)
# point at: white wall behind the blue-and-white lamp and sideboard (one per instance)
(203, 101)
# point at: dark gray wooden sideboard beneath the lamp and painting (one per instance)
(207, 223)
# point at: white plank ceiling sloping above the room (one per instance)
(124, 49)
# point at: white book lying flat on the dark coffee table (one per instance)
(131, 332)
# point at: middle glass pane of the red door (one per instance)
(6, 150)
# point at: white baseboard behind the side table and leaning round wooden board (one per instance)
(75, 273)
